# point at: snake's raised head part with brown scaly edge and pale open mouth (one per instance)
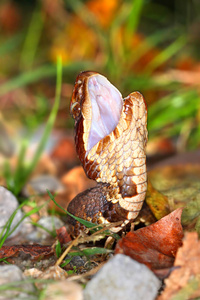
(96, 106)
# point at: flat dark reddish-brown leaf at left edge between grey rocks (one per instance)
(36, 250)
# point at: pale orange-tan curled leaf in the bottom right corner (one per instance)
(184, 281)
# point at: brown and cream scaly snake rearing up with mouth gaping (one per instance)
(110, 139)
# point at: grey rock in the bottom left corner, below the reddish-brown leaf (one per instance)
(24, 290)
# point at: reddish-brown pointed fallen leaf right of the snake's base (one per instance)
(155, 245)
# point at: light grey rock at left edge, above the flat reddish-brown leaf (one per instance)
(8, 203)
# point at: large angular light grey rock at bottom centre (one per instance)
(122, 278)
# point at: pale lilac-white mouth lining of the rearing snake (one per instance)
(107, 106)
